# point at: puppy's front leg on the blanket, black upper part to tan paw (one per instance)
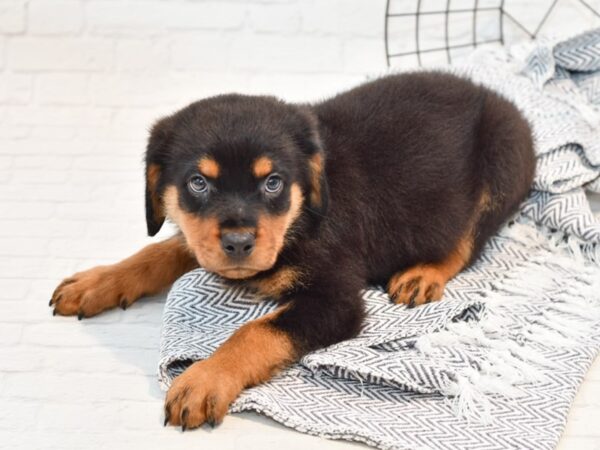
(257, 351)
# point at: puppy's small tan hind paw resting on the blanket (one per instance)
(417, 285)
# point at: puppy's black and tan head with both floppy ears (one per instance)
(237, 174)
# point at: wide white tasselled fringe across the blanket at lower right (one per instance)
(506, 362)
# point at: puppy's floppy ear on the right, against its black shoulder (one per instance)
(312, 146)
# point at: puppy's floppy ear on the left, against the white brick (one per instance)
(156, 153)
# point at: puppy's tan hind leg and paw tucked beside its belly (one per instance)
(425, 282)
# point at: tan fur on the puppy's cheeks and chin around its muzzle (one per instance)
(203, 237)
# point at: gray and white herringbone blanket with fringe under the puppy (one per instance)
(497, 363)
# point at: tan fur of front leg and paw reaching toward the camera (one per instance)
(252, 355)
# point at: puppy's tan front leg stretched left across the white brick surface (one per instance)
(104, 287)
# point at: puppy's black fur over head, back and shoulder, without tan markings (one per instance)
(407, 159)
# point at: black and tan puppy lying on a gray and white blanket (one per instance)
(399, 182)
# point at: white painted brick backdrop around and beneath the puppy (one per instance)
(80, 83)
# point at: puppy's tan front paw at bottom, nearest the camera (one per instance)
(201, 394)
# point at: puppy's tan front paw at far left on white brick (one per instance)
(88, 293)
